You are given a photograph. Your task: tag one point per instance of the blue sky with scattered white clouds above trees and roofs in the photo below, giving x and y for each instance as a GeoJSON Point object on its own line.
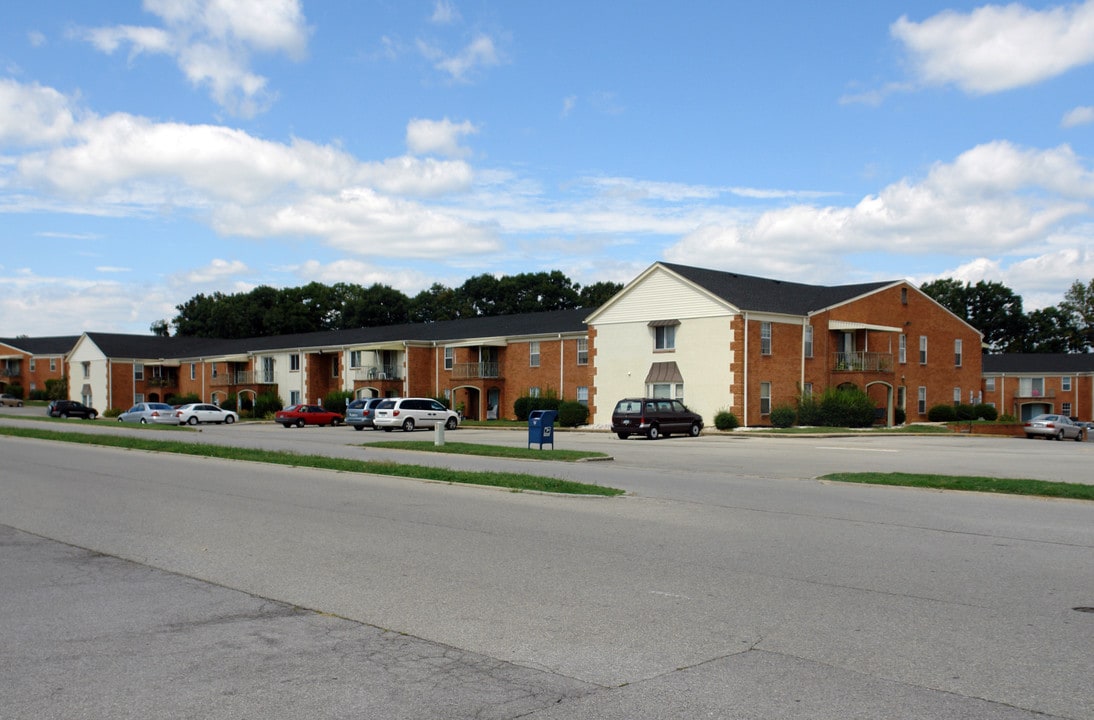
{"type": "Point", "coordinates": [150, 152]}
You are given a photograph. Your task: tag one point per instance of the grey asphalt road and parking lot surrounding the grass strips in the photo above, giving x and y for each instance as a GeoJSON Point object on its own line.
{"type": "Point", "coordinates": [729, 585]}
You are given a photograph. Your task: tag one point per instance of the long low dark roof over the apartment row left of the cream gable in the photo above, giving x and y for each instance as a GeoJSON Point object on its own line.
{"type": "Point", "coordinates": [152, 346]}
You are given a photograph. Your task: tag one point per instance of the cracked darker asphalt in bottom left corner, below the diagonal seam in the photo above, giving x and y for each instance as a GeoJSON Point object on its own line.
{"type": "Point", "coordinates": [91, 636]}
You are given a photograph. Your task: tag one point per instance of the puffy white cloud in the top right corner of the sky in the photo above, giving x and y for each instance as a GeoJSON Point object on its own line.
{"type": "Point", "coordinates": [999, 48]}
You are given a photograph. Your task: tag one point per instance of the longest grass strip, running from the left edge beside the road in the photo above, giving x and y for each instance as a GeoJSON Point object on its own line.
{"type": "Point", "coordinates": [510, 481]}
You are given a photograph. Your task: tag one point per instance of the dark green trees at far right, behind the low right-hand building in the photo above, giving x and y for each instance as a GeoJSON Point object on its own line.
{"type": "Point", "coordinates": [996, 311]}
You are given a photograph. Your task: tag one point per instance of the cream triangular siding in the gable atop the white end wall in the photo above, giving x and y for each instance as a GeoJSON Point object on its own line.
{"type": "Point", "coordinates": [661, 296]}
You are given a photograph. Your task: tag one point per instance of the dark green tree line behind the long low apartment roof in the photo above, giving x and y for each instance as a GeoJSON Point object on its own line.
{"type": "Point", "coordinates": [267, 311]}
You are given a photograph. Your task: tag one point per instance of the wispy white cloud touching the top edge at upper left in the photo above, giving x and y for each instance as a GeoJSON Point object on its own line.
{"type": "Point", "coordinates": [213, 43]}
